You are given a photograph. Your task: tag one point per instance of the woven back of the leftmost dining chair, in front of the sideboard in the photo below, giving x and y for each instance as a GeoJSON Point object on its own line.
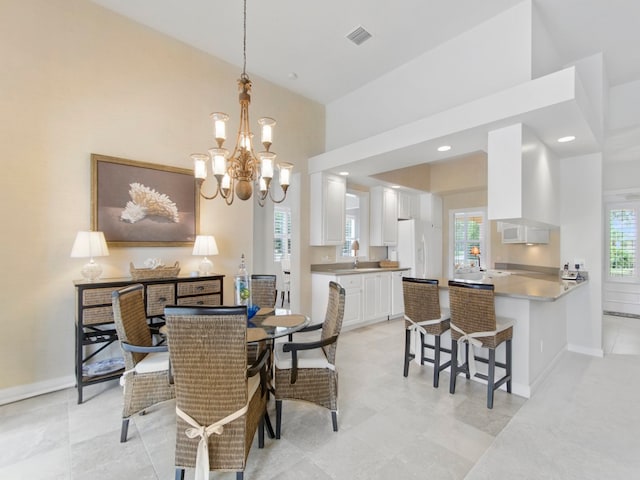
{"type": "Point", "coordinates": [130, 319]}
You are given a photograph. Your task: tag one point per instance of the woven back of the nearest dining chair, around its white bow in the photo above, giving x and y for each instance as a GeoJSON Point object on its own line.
{"type": "Point", "coordinates": [208, 354]}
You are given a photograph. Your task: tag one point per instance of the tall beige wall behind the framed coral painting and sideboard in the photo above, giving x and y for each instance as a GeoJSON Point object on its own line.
{"type": "Point", "coordinates": [79, 79]}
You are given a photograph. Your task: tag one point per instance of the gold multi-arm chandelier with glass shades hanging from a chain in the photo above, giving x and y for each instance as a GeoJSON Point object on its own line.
{"type": "Point", "coordinates": [237, 173]}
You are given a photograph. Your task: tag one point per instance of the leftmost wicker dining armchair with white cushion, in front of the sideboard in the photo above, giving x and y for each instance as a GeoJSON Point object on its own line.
{"type": "Point", "coordinates": [146, 379]}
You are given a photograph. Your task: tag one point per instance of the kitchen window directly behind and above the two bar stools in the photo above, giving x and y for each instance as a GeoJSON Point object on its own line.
{"type": "Point", "coordinates": [468, 232]}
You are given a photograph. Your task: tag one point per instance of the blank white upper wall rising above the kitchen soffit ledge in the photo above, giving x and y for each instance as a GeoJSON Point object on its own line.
{"type": "Point", "coordinates": [486, 59]}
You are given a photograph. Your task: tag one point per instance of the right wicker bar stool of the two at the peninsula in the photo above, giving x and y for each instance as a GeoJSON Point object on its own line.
{"type": "Point", "coordinates": [474, 324]}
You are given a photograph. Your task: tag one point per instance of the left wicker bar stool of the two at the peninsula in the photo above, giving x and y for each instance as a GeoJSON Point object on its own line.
{"type": "Point", "coordinates": [424, 317]}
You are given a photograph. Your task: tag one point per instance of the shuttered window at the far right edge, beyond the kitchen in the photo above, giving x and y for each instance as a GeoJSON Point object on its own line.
{"type": "Point", "coordinates": [623, 240]}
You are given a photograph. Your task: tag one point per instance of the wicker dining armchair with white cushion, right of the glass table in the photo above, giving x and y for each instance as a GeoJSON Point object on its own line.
{"type": "Point", "coordinates": [307, 371]}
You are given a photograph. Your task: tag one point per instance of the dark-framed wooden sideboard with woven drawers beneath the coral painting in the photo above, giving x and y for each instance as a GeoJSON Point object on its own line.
{"type": "Point", "coordinates": [94, 314]}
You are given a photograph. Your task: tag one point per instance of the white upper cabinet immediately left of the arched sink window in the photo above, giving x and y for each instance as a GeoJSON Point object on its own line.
{"type": "Point", "coordinates": [327, 201]}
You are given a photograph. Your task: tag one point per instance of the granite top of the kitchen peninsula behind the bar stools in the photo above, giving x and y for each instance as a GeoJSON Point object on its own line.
{"type": "Point", "coordinates": [527, 285]}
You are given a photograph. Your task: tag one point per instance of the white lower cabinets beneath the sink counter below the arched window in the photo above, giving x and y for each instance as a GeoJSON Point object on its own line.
{"type": "Point", "coordinates": [368, 297]}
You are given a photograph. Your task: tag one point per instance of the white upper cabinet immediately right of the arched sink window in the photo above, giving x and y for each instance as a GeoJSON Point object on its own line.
{"type": "Point", "coordinates": [384, 217]}
